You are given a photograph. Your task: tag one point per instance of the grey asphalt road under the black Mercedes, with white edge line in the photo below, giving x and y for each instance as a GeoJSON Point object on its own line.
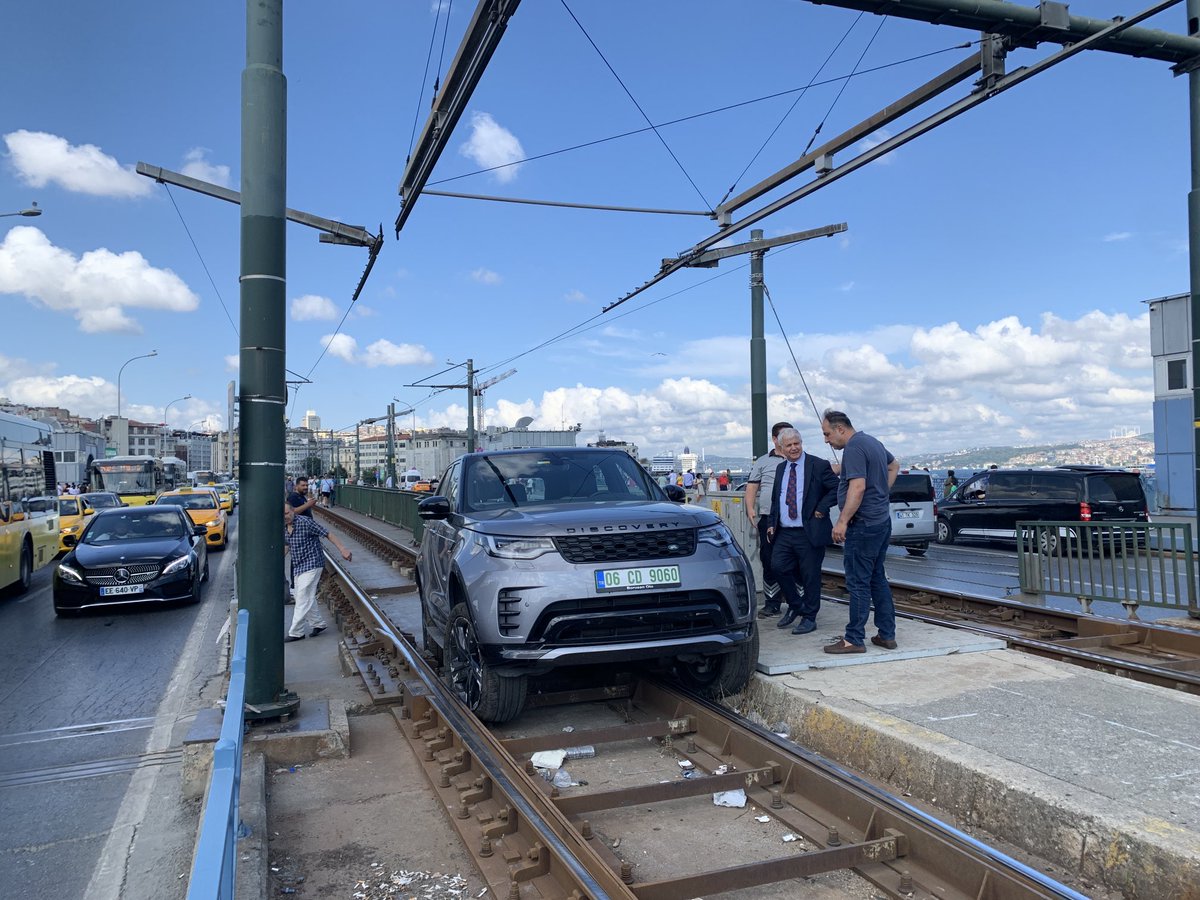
{"type": "Point", "coordinates": [93, 715]}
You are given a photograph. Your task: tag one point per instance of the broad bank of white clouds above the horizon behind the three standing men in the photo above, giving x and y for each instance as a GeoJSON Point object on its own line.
{"type": "Point", "coordinates": [919, 389]}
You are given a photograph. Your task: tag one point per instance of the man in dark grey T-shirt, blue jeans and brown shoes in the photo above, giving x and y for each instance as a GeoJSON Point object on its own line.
{"type": "Point", "coordinates": [865, 527]}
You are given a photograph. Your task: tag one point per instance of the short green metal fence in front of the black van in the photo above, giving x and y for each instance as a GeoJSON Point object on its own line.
{"type": "Point", "coordinates": [1129, 565]}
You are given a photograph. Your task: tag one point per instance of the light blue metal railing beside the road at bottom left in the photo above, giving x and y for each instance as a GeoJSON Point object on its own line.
{"type": "Point", "coordinates": [217, 855]}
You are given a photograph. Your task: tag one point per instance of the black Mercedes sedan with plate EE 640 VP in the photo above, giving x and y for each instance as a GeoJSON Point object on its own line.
{"type": "Point", "coordinates": [133, 555]}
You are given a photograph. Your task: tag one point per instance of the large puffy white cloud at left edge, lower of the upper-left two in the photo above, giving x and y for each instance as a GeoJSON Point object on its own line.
{"type": "Point", "coordinates": [97, 289]}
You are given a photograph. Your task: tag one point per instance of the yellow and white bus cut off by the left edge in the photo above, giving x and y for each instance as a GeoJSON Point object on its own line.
{"type": "Point", "coordinates": [29, 509]}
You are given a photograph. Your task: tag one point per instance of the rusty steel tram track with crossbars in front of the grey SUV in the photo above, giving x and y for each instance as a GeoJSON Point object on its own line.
{"type": "Point", "coordinates": [853, 824]}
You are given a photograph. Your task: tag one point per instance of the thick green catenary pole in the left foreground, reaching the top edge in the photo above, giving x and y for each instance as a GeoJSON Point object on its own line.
{"type": "Point", "coordinates": [263, 394]}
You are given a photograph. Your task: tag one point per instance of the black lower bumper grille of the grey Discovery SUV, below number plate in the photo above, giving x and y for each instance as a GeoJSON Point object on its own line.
{"type": "Point", "coordinates": [650, 616]}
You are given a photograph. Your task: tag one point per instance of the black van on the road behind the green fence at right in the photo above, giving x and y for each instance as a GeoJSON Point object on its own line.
{"type": "Point", "coordinates": [991, 505]}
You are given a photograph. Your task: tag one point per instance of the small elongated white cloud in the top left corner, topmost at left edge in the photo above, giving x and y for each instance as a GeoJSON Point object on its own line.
{"type": "Point", "coordinates": [41, 159]}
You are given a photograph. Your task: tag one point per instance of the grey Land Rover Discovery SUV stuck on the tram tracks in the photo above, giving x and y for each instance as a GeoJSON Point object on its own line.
{"type": "Point", "coordinates": [535, 560]}
